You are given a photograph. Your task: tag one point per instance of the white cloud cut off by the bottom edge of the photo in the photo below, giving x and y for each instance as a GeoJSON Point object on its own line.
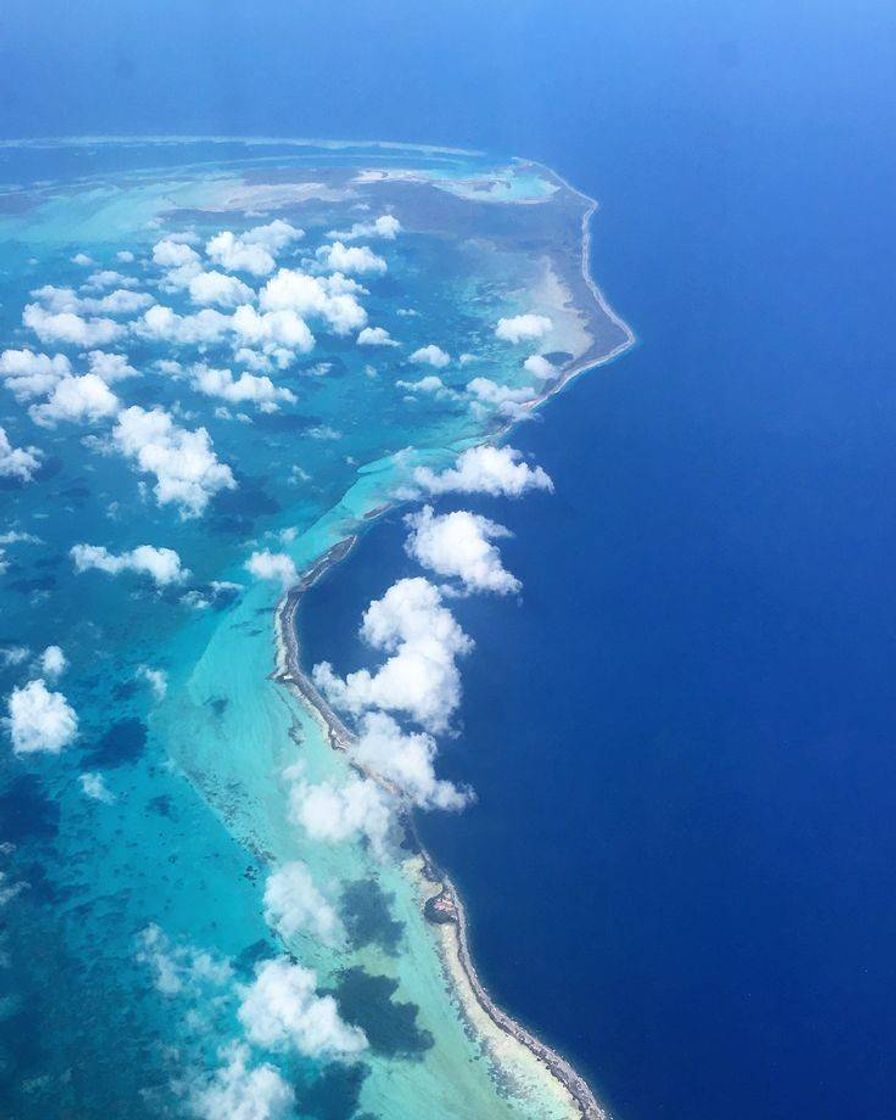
{"type": "Point", "coordinates": [240, 1091]}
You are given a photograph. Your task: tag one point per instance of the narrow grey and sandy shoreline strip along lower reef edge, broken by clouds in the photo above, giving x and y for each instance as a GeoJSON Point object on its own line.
{"type": "Point", "coordinates": [452, 930]}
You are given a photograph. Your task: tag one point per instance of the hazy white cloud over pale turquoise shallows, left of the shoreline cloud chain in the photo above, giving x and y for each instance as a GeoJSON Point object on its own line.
{"type": "Point", "coordinates": [337, 813]}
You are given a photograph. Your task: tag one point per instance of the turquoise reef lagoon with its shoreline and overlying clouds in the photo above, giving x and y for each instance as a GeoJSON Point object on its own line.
{"type": "Point", "coordinates": [222, 361]}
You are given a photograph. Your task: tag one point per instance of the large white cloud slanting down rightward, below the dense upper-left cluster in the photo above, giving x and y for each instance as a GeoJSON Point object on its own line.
{"type": "Point", "coordinates": [188, 471]}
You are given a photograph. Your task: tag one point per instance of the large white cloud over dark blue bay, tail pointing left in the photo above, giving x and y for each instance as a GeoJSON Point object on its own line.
{"type": "Point", "coordinates": [421, 677]}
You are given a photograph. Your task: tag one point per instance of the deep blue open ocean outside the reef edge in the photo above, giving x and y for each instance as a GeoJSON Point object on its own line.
{"type": "Point", "coordinates": [682, 866]}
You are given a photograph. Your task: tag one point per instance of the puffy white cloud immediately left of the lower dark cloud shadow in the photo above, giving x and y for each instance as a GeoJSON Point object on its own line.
{"type": "Point", "coordinates": [282, 1010]}
